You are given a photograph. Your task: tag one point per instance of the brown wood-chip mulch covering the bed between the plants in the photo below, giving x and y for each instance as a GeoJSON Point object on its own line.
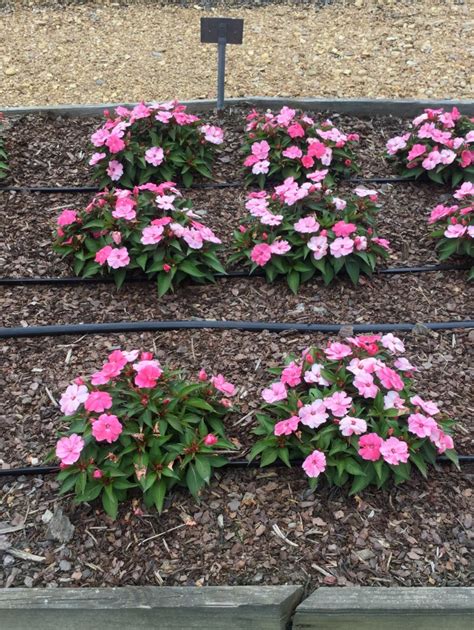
{"type": "Point", "coordinates": [416, 534]}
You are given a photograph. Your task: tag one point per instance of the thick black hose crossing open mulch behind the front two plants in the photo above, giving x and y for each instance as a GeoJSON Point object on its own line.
{"type": "Point", "coordinates": [199, 324]}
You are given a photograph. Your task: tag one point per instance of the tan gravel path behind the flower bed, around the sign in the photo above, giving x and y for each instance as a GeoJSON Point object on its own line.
{"type": "Point", "coordinates": [97, 52]}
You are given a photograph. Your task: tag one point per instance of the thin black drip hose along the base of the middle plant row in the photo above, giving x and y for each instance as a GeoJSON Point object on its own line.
{"type": "Point", "coordinates": [72, 280]}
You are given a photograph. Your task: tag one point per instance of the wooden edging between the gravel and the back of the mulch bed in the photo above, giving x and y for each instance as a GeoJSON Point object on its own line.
{"type": "Point", "coordinates": [356, 107]}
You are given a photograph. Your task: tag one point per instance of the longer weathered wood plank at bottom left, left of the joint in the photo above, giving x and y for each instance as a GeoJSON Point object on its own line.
{"type": "Point", "coordinates": [149, 608]}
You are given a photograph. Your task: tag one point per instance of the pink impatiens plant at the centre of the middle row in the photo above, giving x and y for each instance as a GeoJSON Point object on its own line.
{"type": "Point", "coordinates": [299, 231]}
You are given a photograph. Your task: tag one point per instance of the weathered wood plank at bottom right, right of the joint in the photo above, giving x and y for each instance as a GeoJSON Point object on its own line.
{"type": "Point", "coordinates": [369, 608]}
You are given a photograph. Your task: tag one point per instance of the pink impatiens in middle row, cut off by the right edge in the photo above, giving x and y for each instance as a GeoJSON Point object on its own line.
{"type": "Point", "coordinates": [454, 225]}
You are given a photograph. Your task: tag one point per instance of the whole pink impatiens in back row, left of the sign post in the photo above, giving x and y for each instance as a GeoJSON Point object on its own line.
{"type": "Point", "coordinates": [153, 143]}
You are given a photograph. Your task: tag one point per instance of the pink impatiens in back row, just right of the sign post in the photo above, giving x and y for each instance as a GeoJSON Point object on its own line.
{"type": "Point", "coordinates": [291, 144]}
